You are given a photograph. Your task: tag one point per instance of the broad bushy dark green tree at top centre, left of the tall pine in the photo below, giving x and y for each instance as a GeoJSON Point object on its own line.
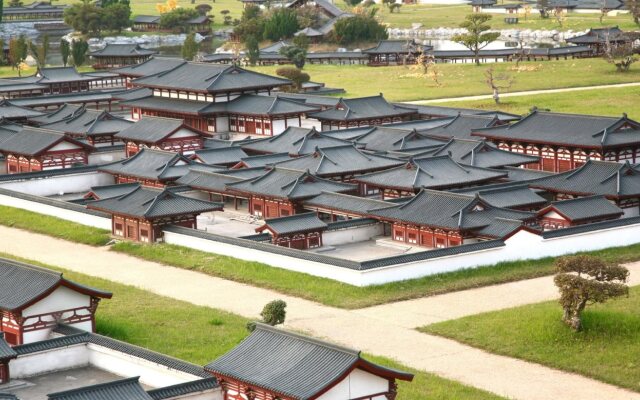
{"type": "Point", "coordinates": [362, 27]}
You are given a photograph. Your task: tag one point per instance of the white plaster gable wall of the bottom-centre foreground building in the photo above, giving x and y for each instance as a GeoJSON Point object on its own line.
{"type": "Point", "coordinates": [357, 384]}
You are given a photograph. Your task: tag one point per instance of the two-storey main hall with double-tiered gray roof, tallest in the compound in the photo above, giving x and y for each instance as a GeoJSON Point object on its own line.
{"type": "Point", "coordinates": [215, 98]}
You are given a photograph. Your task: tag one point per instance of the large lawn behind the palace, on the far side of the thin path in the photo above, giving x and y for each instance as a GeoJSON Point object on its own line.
{"type": "Point", "coordinates": [401, 83]}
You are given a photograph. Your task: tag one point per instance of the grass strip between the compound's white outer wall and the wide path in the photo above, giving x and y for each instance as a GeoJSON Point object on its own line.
{"type": "Point", "coordinates": [322, 290]}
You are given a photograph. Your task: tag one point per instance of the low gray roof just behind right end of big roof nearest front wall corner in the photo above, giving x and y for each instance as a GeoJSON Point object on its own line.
{"type": "Point", "coordinates": [515, 196]}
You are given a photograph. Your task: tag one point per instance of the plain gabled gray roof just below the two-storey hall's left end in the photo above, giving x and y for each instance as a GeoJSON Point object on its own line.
{"type": "Point", "coordinates": [153, 129]}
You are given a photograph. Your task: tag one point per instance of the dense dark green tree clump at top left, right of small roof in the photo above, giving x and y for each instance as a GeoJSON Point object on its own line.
{"type": "Point", "coordinates": [88, 17]}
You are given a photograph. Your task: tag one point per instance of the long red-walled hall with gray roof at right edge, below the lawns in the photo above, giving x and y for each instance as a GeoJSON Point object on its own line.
{"type": "Point", "coordinates": [566, 141]}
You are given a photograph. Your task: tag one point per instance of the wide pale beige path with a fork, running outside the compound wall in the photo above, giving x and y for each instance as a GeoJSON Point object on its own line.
{"type": "Point", "coordinates": [376, 330]}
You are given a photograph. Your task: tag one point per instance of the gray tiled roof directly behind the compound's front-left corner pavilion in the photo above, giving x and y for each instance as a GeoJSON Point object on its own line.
{"type": "Point", "coordinates": [151, 164]}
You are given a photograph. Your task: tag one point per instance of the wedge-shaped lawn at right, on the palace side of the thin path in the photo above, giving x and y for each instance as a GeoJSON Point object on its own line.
{"type": "Point", "coordinates": [598, 101]}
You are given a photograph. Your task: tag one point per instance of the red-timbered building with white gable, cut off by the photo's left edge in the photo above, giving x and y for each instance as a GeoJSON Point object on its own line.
{"type": "Point", "coordinates": [34, 300]}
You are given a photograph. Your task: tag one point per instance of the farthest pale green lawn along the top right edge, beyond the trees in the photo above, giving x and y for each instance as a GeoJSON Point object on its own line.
{"type": "Point", "coordinates": [437, 16]}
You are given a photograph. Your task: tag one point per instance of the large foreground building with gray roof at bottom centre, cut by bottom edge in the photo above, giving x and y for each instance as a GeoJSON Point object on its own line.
{"type": "Point", "coordinates": [307, 369]}
